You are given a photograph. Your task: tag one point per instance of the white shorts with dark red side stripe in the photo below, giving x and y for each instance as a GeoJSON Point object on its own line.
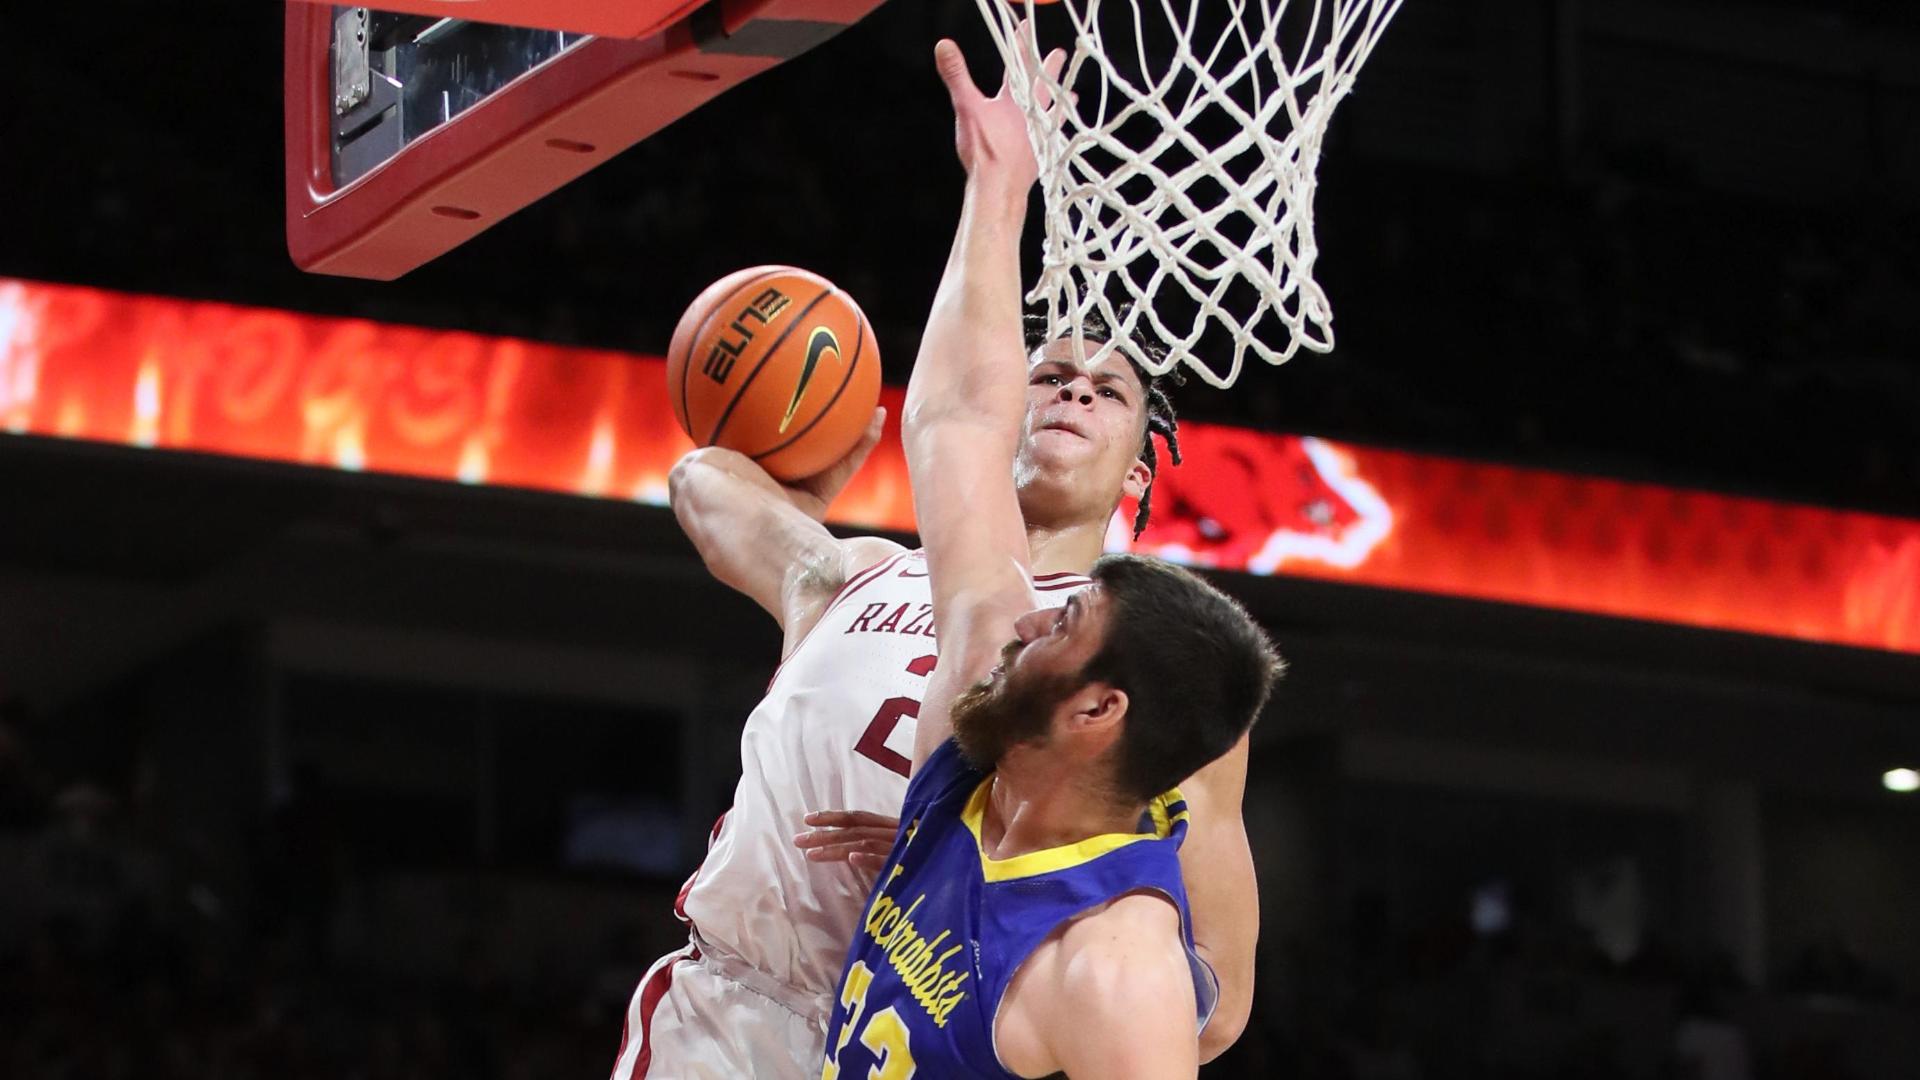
{"type": "Point", "coordinates": [694, 1019]}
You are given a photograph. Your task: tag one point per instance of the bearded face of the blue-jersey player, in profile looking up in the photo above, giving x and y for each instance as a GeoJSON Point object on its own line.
{"type": "Point", "coordinates": [1040, 670]}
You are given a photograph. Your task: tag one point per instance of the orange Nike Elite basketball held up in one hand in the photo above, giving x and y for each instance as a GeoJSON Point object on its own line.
{"type": "Point", "coordinates": [777, 364]}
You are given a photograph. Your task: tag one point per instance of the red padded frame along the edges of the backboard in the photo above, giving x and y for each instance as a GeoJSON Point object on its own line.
{"type": "Point", "coordinates": [535, 135]}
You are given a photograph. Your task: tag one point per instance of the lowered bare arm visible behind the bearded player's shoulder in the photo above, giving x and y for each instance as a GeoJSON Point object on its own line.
{"type": "Point", "coordinates": [1222, 893]}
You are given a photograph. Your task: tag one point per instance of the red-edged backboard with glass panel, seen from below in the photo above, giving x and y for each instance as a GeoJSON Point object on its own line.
{"type": "Point", "coordinates": [410, 134]}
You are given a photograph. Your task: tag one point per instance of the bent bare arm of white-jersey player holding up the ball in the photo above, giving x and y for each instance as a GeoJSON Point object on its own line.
{"type": "Point", "coordinates": [767, 539]}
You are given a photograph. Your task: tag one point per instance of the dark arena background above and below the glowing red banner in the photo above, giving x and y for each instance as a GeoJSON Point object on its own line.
{"type": "Point", "coordinates": [343, 777]}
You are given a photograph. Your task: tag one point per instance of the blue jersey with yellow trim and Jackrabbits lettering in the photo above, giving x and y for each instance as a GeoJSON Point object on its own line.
{"type": "Point", "coordinates": [948, 929]}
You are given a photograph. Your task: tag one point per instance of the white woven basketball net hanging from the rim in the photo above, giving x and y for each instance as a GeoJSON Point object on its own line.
{"type": "Point", "coordinates": [1180, 187]}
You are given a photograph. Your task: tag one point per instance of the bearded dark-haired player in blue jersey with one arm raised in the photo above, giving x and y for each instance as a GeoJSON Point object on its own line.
{"type": "Point", "coordinates": [1032, 918]}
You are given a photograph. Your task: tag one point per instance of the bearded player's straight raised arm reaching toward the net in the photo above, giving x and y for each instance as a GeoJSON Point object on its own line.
{"type": "Point", "coordinates": [967, 401]}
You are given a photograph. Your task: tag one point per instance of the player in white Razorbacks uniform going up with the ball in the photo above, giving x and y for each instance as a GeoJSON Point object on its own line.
{"type": "Point", "coordinates": [769, 929]}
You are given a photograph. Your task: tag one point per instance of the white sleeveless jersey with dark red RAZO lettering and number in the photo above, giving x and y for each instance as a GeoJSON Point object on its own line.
{"type": "Point", "coordinates": [836, 731]}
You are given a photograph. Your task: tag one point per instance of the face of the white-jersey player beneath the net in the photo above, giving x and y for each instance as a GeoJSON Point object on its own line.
{"type": "Point", "coordinates": [1084, 426]}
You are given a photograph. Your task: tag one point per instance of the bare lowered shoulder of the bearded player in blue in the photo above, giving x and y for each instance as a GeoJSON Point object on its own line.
{"type": "Point", "coordinates": [1122, 1004]}
